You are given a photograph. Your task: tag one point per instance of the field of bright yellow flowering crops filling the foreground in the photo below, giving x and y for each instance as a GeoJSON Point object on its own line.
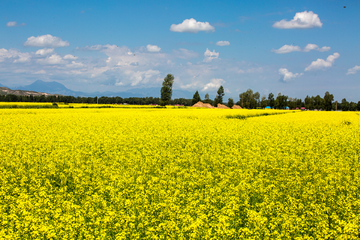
{"type": "Point", "coordinates": [116, 173]}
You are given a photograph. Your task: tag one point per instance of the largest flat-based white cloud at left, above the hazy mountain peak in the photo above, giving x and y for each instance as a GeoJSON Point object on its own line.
{"type": "Point", "coordinates": [45, 41]}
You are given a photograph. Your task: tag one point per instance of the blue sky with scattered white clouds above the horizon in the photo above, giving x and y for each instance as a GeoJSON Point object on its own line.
{"type": "Point", "coordinates": [297, 48]}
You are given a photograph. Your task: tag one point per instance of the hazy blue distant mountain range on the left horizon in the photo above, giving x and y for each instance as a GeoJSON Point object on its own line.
{"type": "Point", "coordinates": [58, 88]}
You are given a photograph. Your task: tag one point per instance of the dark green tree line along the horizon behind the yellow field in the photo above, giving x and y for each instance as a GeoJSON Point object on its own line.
{"type": "Point", "coordinates": [247, 99]}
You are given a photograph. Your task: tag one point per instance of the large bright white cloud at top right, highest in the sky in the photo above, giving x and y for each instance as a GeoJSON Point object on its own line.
{"type": "Point", "coordinates": [301, 20]}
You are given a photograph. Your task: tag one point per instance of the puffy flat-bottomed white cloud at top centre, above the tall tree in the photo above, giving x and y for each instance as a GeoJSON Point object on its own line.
{"type": "Point", "coordinates": [192, 26]}
